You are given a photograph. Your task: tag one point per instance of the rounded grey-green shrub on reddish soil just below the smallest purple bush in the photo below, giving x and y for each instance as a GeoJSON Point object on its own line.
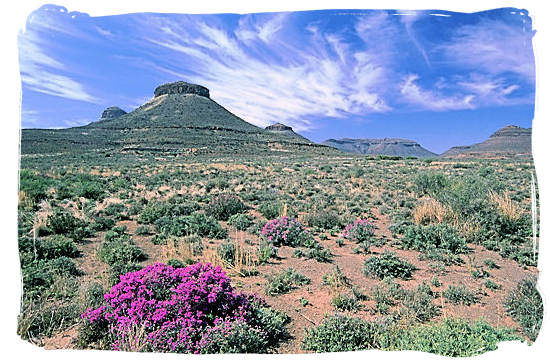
{"type": "Point", "coordinates": [388, 265]}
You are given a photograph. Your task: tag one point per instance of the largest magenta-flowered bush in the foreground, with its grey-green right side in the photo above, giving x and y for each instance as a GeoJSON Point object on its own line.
{"type": "Point", "coordinates": [185, 310]}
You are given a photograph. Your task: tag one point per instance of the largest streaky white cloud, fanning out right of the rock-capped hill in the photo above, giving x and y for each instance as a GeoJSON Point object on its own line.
{"type": "Point", "coordinates": [326, 79]}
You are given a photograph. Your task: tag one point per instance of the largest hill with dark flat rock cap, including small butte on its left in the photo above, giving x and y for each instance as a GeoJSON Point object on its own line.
{"type": "Point", "coordinates": [180, 119]}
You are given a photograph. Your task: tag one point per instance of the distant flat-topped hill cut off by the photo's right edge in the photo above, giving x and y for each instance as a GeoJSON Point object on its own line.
{"type": "Point", "coordinates": [510, 140]}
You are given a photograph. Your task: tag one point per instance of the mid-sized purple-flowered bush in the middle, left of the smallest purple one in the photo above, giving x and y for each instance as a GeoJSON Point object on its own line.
{"type": "Point", "coordinates": [287, 231]}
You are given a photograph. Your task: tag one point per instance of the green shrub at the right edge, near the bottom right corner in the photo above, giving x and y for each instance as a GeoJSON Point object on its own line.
{"type": "Point", "coordinates": [524, 304]}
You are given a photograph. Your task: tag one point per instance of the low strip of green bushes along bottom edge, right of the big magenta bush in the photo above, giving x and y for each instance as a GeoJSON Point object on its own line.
{"type": "Point", "coordinates": [451, 337]}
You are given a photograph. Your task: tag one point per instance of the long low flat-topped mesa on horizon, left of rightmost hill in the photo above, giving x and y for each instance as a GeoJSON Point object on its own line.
{"type": "Point", "coordinates": [387, 146]}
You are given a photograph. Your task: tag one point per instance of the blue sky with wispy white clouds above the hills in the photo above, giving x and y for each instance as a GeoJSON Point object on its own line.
{"type": "Point", "coordinates": [440, 78]}
